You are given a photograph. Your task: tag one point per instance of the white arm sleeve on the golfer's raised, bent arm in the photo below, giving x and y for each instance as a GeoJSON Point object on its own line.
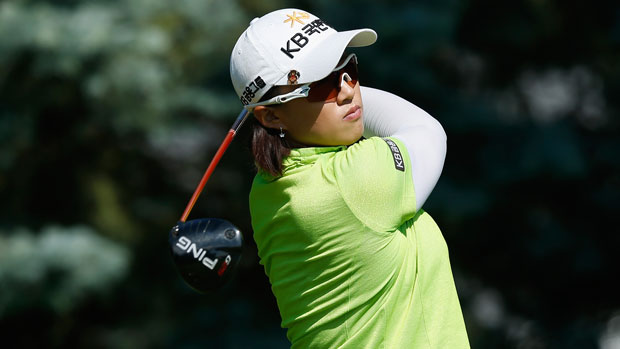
{"type": "Point", "coordinates": [387, 115]}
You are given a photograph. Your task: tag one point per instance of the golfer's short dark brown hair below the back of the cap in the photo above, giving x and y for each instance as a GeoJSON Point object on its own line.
{"type": "Point", "coordinates": [268, 148]}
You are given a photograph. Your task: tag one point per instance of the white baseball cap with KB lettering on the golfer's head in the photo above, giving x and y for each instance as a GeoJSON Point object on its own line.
{"type": "Point", "coordinates": [288, 46]}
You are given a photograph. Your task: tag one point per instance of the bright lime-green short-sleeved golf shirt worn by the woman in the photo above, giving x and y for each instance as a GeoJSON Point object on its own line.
{"type": "Point", "coordinates": [351, 262]}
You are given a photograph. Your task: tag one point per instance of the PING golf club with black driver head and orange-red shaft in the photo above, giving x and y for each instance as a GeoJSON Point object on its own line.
{"type": "Point", "coordinates": [207, 251]}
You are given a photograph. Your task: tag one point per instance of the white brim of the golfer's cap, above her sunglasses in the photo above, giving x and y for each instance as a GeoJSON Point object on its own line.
{"type": "Point", "coordinates": [330, 51]}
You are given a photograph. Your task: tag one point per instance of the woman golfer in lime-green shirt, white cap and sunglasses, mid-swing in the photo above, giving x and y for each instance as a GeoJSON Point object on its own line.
{"type": "Point", "coordinates": [353, 260]}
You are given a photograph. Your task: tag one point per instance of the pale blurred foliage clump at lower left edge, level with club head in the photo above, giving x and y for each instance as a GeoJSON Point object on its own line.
{"type": "Point", "coordinates": [57, 268]}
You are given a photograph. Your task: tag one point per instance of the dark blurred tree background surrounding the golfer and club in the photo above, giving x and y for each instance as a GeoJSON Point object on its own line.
{"type": "Point", "coordinates": [110, 111]}
